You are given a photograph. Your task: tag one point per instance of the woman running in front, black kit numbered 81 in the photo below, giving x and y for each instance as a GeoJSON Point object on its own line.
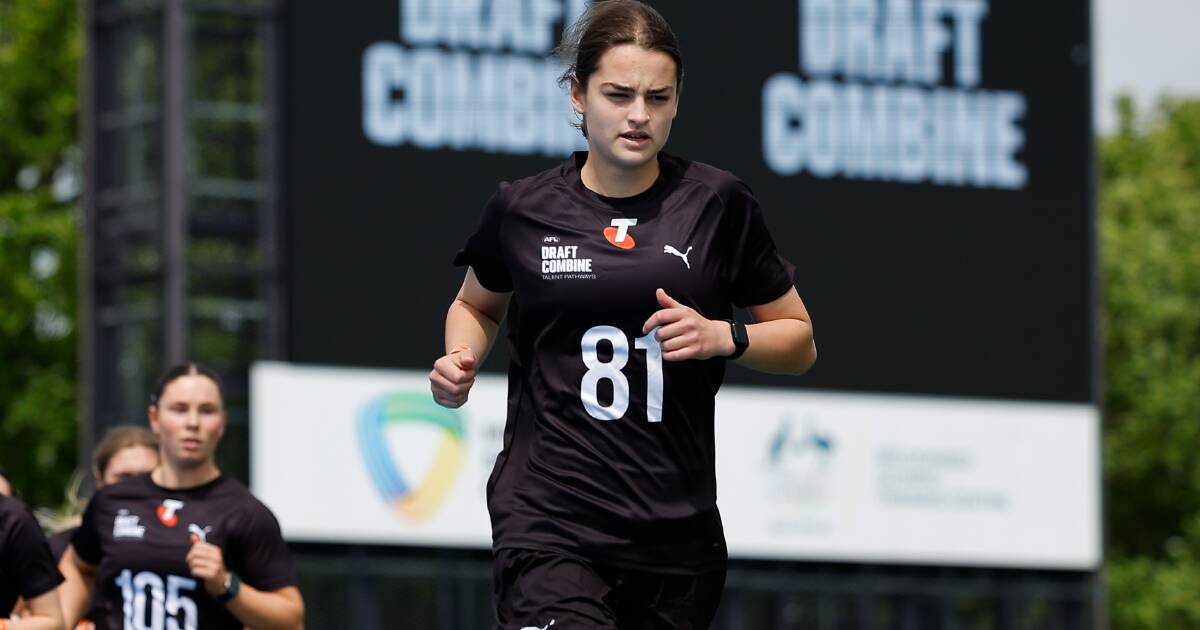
{"type": "Point", "coordinates": [619, 271]}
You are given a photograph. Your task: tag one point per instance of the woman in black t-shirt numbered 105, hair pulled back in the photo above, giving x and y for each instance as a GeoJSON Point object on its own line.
{"type": "Point", "coordinates": [183, 548]}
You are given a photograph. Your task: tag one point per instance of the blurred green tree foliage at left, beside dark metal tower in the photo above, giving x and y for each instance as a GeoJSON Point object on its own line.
{"type": "Point", "coordinates": [40, 52]}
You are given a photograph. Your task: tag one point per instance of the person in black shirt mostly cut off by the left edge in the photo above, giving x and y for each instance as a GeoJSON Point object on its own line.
{"type": "Point", "coordinates": [27, 572]}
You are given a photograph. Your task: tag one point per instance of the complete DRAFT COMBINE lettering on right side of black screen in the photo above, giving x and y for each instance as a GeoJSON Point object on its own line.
{"type": "Point", "coordinates": [845, 116]}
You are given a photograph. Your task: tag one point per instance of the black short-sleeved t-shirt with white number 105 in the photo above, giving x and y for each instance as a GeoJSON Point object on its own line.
{"type": "Point", "coordinates": [139, 535]}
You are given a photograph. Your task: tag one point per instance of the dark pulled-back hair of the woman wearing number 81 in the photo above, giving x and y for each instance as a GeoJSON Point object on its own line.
{"type": "Point", "coordinates": [608, 25]}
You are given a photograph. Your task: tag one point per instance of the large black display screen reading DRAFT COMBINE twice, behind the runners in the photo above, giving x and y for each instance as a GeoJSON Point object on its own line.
{"type": "Point", "coordinates": [925, 164]}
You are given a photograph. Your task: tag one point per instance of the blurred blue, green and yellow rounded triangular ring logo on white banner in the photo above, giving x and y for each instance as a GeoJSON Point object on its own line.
{"type": "Point", "coordinates": [415, 499]}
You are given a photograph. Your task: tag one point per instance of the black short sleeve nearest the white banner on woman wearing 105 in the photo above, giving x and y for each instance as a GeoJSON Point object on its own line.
{"type": "Point", "coordinates": [263, 560]}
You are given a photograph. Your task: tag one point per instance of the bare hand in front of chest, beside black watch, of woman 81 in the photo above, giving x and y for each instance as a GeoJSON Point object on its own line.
{"type": "Point", "coordinates": [685, 334]}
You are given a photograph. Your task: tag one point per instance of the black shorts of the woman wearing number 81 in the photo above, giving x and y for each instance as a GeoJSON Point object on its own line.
{"type": "Point", "coordinates": [545, 591]}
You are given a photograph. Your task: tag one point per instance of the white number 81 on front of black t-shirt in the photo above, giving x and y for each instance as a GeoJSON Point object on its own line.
{"type": "Point", "coordinates": [611, 371]}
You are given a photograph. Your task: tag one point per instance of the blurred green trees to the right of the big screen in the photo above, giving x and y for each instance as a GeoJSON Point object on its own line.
{"type": "Point", "coordinates": [1150, 231]}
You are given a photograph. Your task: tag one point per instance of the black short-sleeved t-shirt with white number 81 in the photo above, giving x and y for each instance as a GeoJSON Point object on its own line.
{"type": "Point", "coordinates": [609, 451]}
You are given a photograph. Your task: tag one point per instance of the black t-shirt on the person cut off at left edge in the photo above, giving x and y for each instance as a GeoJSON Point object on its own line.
{"type": "Point", "coordinates": [27, 568]}
